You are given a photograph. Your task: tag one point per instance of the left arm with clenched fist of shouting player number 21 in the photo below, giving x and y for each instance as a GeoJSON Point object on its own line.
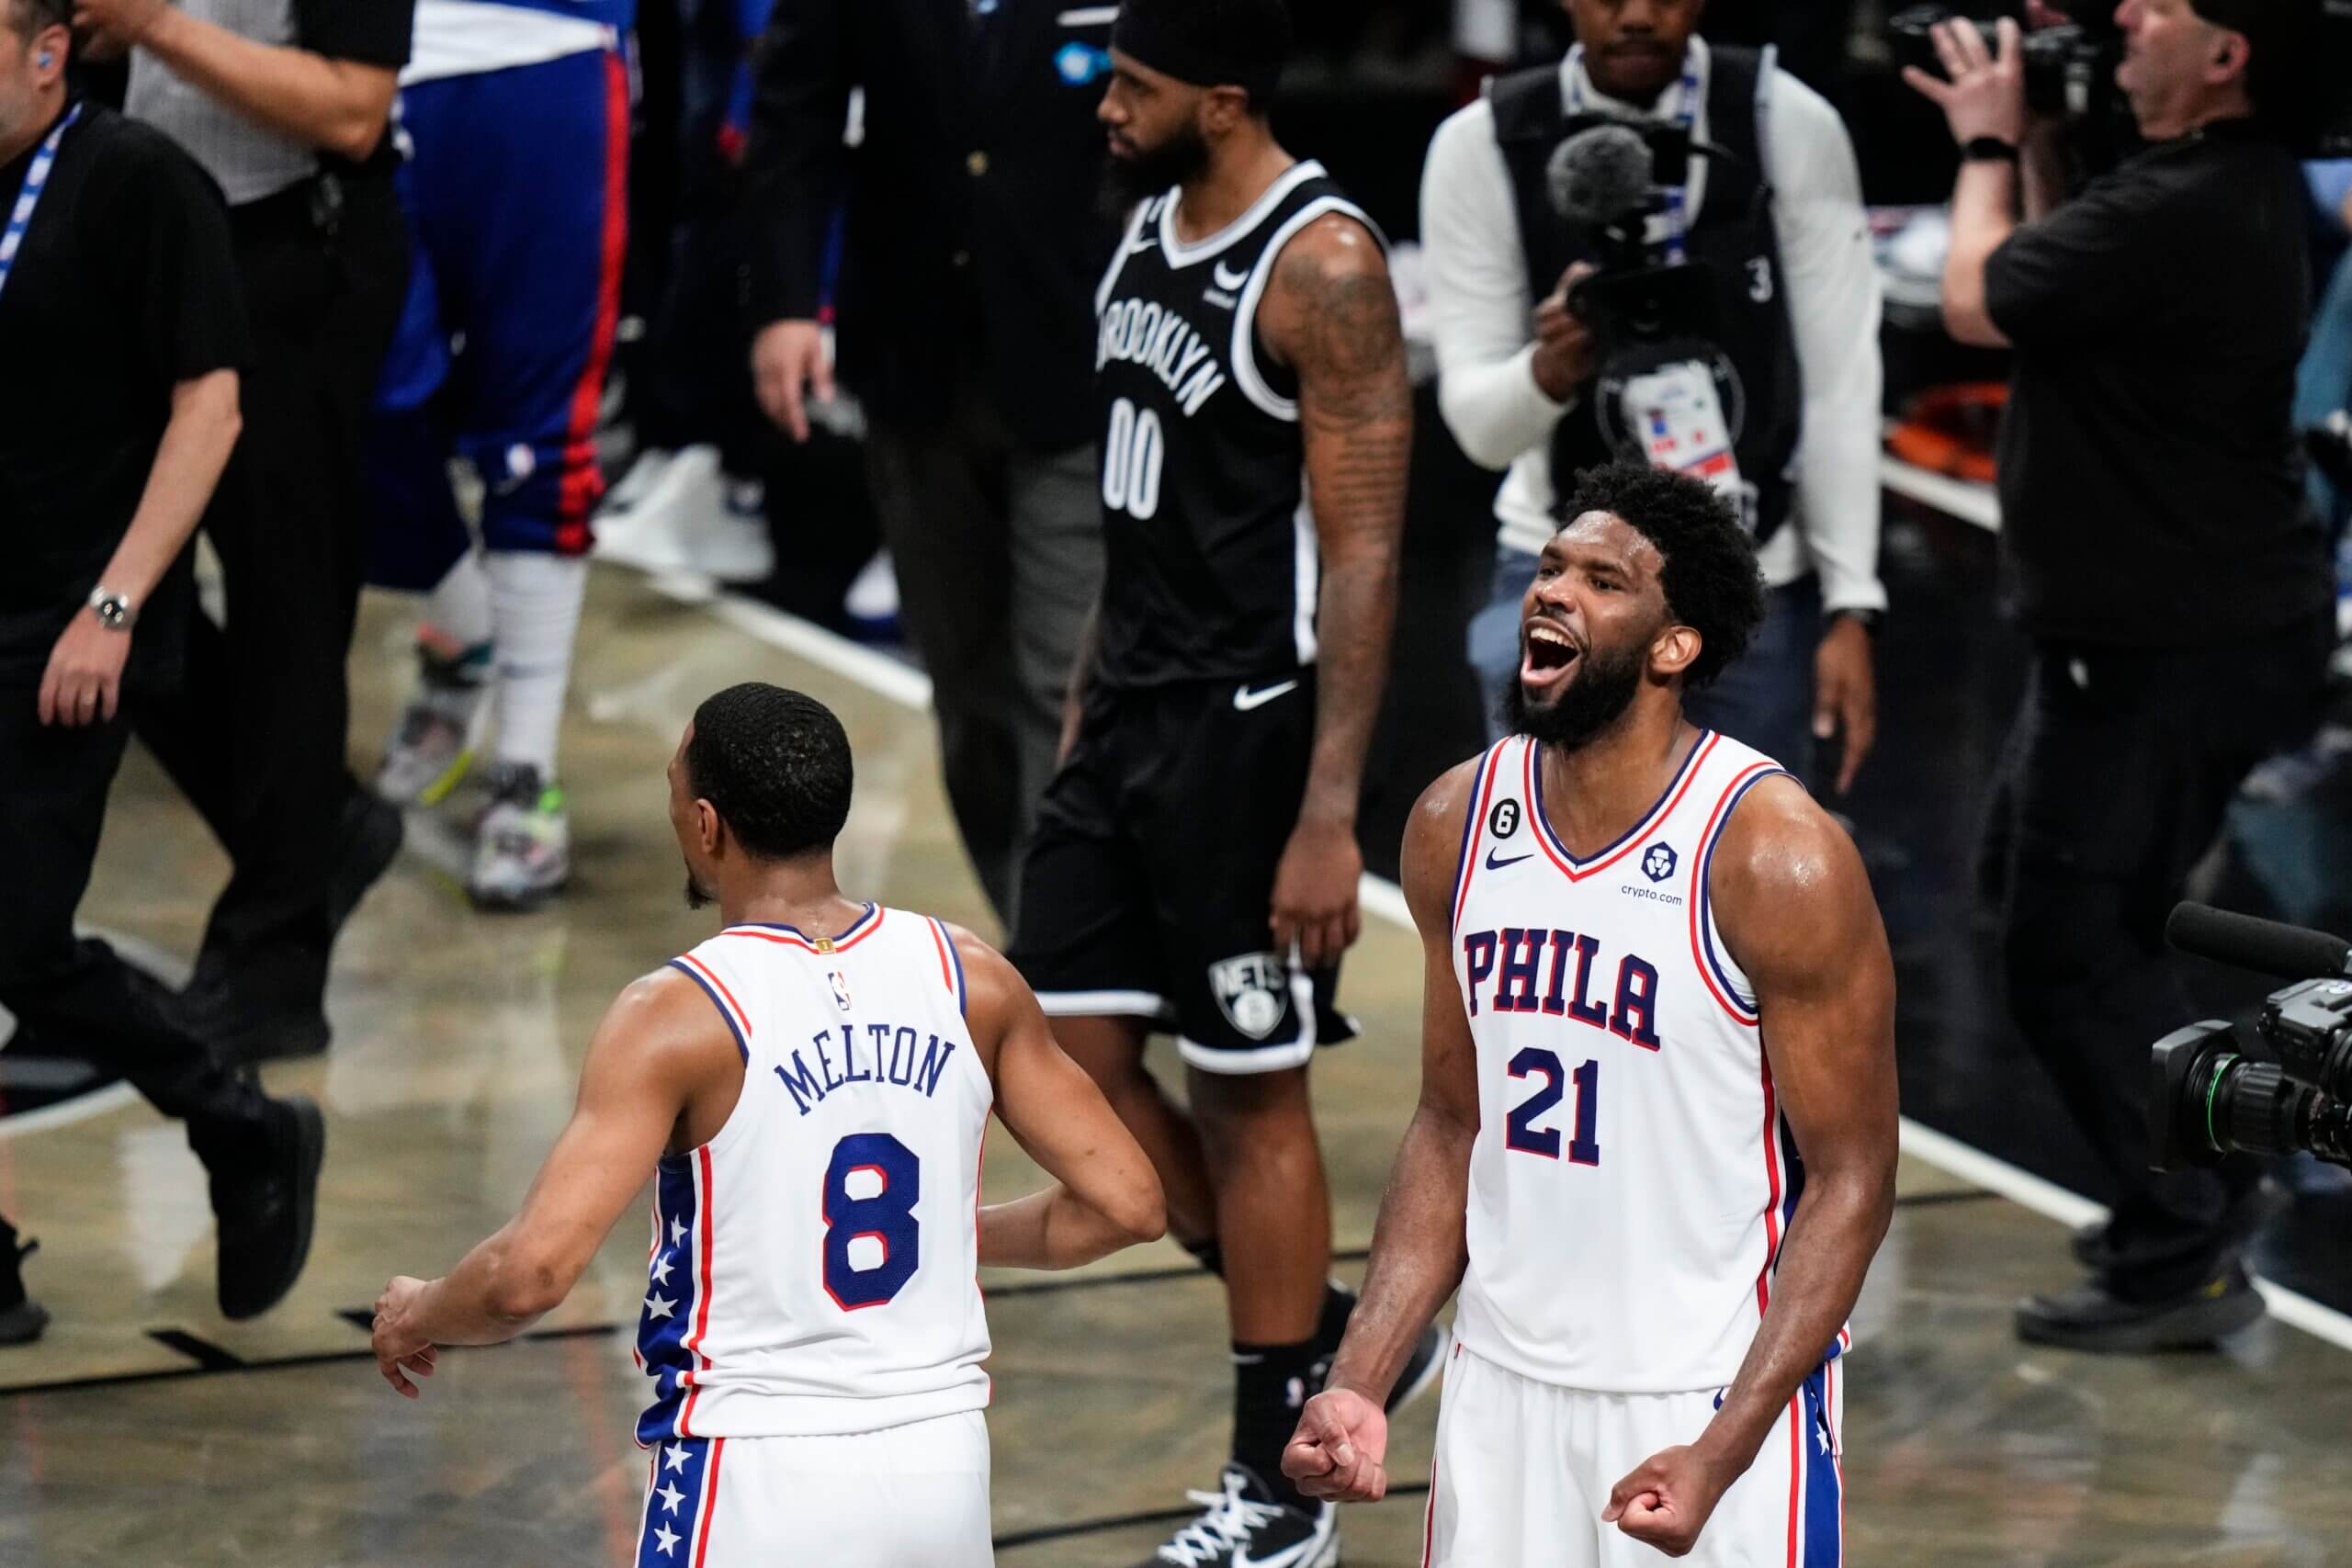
{"type": "Point", "coordinates": [1419, 1245]}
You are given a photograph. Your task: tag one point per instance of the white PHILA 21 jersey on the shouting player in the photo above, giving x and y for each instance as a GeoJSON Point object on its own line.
{"type": "Point", "coordinates": [1631, 1177]}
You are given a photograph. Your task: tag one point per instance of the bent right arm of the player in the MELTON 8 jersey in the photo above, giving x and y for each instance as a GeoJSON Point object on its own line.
{"type": "Point", "coordinates": [1104, 1193]}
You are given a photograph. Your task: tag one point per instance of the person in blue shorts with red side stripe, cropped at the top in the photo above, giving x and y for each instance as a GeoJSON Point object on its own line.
{"type": "Point", "coordinates": [516, 119]}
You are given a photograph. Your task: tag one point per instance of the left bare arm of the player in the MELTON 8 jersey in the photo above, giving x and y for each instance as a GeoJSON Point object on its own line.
{"type": "Point", "coordinates": [660, 1047]}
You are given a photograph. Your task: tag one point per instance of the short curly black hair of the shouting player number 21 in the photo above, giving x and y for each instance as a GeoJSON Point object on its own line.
{"type": "Point", "coordinates": [1711, 575]}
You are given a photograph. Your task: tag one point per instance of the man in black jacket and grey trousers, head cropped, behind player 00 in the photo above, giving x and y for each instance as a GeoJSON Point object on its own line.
{"type": "Point", "coordinates": [965, 328]}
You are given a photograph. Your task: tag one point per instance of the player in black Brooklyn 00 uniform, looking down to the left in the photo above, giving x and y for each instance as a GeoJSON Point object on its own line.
{"type": "Point", "coordinates": [1196, 862]}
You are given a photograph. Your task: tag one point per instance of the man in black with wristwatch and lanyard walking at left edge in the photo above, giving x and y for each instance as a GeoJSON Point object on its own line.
{"type": "Point", "coordinates": [123, 335]}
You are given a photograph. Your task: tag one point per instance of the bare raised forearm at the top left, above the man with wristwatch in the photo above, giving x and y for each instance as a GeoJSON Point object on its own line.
{"type": "Point", "coordinates": [335, 105]}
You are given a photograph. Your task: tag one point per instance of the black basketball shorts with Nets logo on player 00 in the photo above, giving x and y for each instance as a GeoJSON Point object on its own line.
{"type": "Point", "coordinates": [1151, 876]}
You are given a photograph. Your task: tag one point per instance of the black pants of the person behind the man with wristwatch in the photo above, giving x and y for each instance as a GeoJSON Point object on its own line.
{"type": "Point", "coordinates": [258, 737]}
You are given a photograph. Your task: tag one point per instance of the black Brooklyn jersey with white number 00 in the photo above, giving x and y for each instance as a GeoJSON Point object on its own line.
{"type": "Point", "coordinates": [1208, 542]}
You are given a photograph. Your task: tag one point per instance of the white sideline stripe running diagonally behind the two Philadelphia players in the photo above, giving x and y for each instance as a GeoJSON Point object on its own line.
{"type": "Point", "coordinates": [1387, 899]}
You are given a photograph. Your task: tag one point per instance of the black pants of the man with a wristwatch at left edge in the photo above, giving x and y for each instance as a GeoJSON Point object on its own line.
{"type": "Point", "coordinates": [76, 993]}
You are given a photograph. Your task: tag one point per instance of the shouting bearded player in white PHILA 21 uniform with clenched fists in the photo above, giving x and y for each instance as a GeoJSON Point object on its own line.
{"type": "Point", "coordinates": [1657, 1130]}
